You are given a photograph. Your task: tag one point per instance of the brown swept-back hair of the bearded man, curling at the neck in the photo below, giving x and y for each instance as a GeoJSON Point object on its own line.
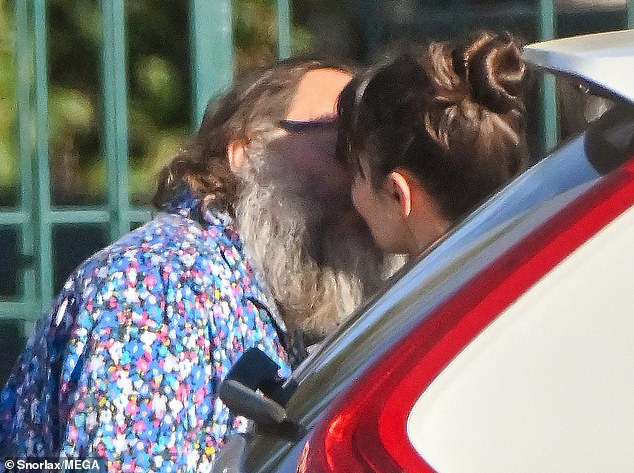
{"type": "Point", "coordinates": [248, 113]}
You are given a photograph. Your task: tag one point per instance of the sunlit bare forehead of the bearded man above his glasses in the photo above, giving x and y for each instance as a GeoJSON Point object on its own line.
{"type": "Point", "coordinates": [317, 94]}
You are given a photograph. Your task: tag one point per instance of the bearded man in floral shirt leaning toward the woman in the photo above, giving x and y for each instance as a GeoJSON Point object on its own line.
{"type": "Point", "coordinates": [127, 364]}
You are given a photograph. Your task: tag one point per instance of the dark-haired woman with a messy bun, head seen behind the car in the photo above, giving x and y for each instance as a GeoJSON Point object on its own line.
{"type": "Point", "coordinates": [432, 133]}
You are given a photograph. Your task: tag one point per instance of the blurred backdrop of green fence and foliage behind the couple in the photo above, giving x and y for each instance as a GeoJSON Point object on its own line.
{"type": "Point", "coordinates": [84, 127]}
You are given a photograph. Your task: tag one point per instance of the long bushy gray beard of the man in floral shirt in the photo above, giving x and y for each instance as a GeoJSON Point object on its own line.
{"type": "Point", "coordinates": [316, 255]}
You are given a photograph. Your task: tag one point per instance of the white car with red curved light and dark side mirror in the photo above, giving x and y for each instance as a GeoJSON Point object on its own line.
{"type": "Point", "coordinates": [508, 347]}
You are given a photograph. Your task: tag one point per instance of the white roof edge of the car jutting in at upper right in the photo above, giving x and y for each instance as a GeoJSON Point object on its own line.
{"type": "Point", "coordinates": [605, 60]}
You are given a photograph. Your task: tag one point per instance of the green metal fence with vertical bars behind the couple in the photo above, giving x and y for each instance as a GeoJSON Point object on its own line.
{"type": "Point", "coordinates": [35, 217]}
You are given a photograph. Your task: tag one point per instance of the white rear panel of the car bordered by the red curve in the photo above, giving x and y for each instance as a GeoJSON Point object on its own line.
{"type": "Point", "coordinates": [549, 383]}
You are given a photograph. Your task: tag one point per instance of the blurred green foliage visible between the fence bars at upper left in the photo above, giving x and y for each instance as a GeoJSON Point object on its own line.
{"type": "Point", "coordinates": [159, 96]}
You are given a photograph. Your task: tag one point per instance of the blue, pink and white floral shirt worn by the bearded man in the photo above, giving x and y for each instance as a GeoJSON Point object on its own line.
{"type": "Point", "coordinates": [127, 364]}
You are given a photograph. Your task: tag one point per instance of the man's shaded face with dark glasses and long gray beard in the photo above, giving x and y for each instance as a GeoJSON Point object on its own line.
{"type": "Point", "coordinates": [296, 217]}
